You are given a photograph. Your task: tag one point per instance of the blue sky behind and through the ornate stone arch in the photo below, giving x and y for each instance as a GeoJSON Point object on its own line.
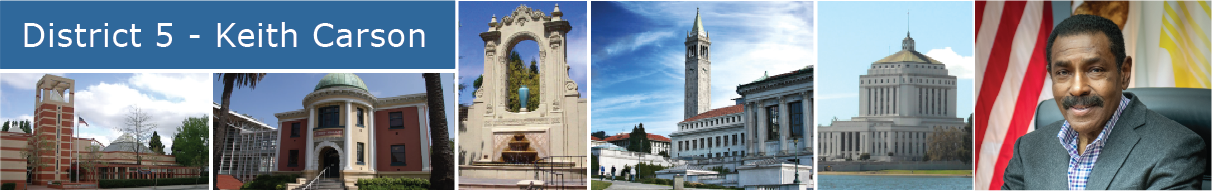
{"type": "Point", "coordinates": [474, 18]}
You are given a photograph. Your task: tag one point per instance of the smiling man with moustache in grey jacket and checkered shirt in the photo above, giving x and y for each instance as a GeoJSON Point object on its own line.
{"type": "Point", "coordinates": [1108, 140]}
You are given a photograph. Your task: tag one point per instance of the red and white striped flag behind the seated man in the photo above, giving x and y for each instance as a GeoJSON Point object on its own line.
{"type": "Point", "coordinates": [1011, 38]}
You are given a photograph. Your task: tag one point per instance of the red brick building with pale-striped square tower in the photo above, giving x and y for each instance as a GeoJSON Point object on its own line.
{"type": "Point", "coordinates": [66, 161]}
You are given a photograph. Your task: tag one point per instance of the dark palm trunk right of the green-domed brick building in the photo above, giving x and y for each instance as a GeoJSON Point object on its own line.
{"type": "Point", "coordinates": [443, 176]}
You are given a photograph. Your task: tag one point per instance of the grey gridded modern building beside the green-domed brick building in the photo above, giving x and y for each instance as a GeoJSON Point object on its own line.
{"type": "Point", "coordinates": [250, 149]}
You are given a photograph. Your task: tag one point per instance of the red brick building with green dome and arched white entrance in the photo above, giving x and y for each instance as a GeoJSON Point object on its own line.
{"type": "Point", "coordinates": [347, 134]}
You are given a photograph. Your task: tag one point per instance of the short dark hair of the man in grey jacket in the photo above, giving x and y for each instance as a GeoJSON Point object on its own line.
{"type": "Point", "coordinates": [1088, 25]}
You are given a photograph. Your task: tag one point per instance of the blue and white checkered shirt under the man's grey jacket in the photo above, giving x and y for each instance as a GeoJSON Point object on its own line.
{"type": "Point", "coordinates": [1080, 165]}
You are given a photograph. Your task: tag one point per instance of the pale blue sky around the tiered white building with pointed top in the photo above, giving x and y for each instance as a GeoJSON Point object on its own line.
{"type": "Point", "coordinates": [855, 34]}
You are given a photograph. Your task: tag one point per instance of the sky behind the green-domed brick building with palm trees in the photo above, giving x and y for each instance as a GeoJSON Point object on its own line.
{"type": "Point", "coordinates": [284, 92]}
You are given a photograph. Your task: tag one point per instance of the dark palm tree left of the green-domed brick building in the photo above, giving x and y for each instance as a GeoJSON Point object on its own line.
{"type": "Point", "coordinates": [230, 82]}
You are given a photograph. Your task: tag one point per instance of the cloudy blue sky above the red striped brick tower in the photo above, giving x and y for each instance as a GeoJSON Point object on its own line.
{"type": "Point", "coordinates": [104, 101]}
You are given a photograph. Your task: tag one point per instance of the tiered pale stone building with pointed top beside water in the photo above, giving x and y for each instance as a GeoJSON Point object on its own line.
{"type": "Point", "coordinates": [904, 99]}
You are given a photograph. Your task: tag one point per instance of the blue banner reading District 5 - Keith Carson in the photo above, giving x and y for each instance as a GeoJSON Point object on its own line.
{"type": "Point", "coordinates": [227, 34]}
